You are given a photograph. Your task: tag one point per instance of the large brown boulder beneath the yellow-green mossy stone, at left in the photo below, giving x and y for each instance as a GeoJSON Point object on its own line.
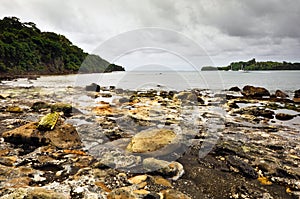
{"type": "Point", "coordinates": [62, 136]}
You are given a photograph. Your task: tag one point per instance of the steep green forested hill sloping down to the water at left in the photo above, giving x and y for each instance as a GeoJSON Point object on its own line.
{"type": "Point", "coordinates": [24, 49]}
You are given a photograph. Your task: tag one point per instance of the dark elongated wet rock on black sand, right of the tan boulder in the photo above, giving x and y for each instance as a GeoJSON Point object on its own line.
{"type": "Point", "coordinates": [242, 166]}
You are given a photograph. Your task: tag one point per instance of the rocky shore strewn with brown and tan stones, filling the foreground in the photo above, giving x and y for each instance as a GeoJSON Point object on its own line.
{"type": "Point", "coordinates": [99, 142]}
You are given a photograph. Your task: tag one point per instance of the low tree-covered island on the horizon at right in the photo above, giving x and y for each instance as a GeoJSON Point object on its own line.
{"type": "Point", "coordinates": [254, 65]}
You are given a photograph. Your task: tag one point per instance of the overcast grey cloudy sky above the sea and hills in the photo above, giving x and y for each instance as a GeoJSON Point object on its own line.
{"type": "Point", "coordinates": [171, 34]}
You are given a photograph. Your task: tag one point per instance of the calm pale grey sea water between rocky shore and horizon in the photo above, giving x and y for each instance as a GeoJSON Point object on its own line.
{"type": "Point", "coordinates": [216, 80]}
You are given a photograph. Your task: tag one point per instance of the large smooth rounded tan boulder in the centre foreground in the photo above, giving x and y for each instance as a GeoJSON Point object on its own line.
{"type": "Point", "coordinates": [150, 140]}
